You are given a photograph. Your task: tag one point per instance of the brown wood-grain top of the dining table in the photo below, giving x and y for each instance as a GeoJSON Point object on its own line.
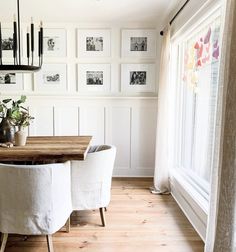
{"type": "Point", "coordinates": [48, 148]}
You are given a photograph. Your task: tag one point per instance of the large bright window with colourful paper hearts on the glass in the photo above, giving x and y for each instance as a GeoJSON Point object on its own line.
{"type": "Point", "coordinates": [198, 60]}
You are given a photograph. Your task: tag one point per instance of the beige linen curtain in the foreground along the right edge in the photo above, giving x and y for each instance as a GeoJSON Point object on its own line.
{"type": "Point", "coordinates": [221, 221]}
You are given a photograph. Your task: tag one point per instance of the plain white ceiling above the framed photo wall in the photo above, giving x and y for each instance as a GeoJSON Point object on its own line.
{"type": "Point", "coordinates": [90, 10]}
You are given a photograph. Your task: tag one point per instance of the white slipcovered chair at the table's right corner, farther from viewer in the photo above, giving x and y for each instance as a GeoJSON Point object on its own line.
{"type": "Point", "coordinates": [91, 179]}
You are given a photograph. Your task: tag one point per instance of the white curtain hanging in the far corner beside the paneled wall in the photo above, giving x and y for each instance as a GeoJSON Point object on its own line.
{"type": "Point", "coordinates": [161, 177]}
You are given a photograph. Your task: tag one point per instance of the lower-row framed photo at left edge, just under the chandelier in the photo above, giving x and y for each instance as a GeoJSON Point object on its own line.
{"type": "Point", "coordinates": [11, 81]}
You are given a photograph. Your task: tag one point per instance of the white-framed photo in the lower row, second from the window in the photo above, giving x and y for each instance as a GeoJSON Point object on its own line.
{"type": "Point", "coordinates": [94, 77]}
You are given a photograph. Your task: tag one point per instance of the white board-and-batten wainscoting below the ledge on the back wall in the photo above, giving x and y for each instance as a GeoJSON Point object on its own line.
{"type": "Point", "coordinates": [127, 123]}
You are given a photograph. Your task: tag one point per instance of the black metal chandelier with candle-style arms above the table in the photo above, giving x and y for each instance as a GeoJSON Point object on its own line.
{"type": "Point", "coordinates": [17, 66]}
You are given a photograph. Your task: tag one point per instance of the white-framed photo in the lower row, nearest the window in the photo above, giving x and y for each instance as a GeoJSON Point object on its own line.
{"type": "Point", "coordinates": [138, 78]}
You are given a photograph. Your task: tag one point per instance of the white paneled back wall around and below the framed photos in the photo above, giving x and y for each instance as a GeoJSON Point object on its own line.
{"type": "Point", "coordinates": [125, 120]}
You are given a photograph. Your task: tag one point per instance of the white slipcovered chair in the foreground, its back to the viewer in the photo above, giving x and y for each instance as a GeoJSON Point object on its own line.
{"type": "Point", "coordinates": [34, 199]}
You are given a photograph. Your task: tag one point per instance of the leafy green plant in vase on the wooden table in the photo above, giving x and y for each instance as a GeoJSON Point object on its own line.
{"type": "Point", "coordinates": [18, 117]}
